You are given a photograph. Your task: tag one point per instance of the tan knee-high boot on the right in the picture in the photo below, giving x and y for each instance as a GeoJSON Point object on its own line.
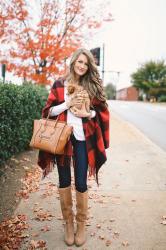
{"type": "Point", "coordinates": [81, 216]}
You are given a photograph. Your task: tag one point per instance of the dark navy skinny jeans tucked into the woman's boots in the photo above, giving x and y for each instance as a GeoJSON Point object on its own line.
{"type": "Point", "coordinates": [80, 169]}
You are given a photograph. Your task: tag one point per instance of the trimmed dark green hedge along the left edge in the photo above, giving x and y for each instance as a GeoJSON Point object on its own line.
{"type": "Point", "coordinates": [19, 106]}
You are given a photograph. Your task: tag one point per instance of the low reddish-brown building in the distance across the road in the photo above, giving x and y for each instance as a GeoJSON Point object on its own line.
{"type": "Point", "coordinates": [127, 94]}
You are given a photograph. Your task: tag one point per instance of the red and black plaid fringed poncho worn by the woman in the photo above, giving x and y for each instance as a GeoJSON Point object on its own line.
{"type": "Point", "coordinates": [96, 134]}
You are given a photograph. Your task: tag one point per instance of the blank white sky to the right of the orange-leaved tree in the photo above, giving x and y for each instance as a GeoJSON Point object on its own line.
{"type": "Point", "coordinates": [136, 36]}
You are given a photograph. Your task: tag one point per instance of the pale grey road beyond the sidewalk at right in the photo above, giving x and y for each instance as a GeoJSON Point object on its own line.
{"type": "Point", "coordinates": [148, 117]}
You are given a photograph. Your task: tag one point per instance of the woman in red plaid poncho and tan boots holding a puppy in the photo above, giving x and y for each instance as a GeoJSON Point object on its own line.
{"type": "Point", "coordinates": [87, 144]}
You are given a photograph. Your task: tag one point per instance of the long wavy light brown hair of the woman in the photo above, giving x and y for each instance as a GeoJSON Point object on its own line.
{"type": "Point", "coordinates": [91, 81]}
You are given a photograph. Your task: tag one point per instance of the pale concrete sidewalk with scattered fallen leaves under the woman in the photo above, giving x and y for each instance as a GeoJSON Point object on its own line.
{"type": "Point", "coordinates": [127, 210]}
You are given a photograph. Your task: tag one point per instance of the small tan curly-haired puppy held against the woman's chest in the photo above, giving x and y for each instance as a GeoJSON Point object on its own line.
{"type": "Point", "coordinates": [74, 91]}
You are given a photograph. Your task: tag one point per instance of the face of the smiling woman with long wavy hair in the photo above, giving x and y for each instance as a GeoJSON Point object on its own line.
{"type": "Point", "coordinates": [81, 65]}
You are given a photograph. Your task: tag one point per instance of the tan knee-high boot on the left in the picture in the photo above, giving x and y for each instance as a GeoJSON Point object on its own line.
{"type": "Point", "coordinates": [66, 207]}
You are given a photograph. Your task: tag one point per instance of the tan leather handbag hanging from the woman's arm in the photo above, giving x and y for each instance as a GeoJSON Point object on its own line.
{"type": "Point", "coordinates": [50, 135]}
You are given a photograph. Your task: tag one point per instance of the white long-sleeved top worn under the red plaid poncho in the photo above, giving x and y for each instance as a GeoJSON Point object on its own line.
{"type": "Point", "coordinates": [72, 120]}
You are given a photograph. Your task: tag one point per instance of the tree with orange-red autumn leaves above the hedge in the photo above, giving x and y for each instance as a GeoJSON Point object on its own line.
{"type": "Point", "coordinates": [38, 36]}
